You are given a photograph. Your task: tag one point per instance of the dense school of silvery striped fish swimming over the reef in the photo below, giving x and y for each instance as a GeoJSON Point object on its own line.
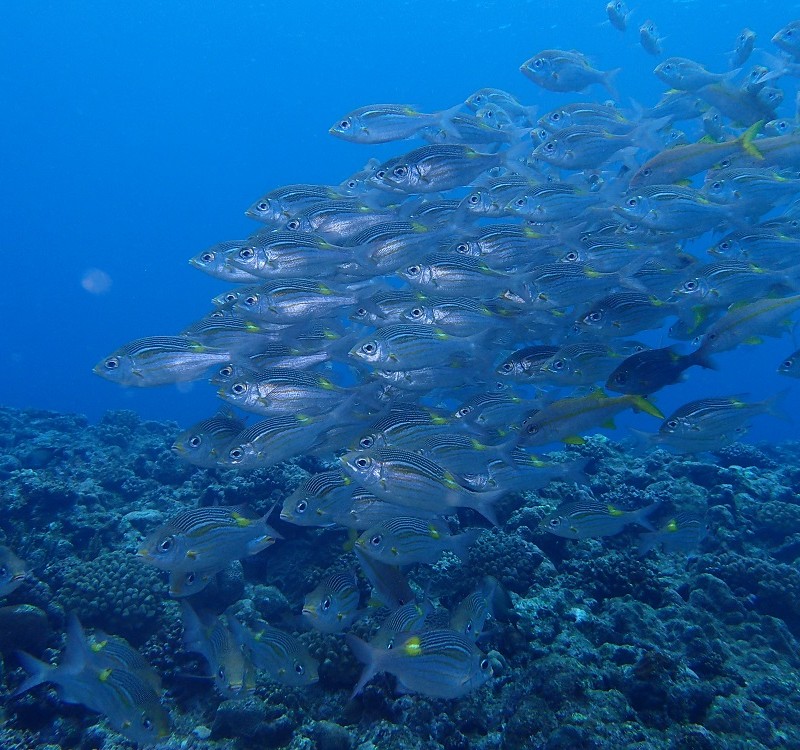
{"type": "Point", "coordinates": [428, 325]}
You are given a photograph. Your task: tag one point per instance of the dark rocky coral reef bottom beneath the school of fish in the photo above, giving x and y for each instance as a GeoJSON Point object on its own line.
{"type": "Point", "coordinates": [606, 648]}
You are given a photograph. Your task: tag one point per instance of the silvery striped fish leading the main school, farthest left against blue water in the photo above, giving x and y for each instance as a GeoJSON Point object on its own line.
{"type": "Point", "coordinates": [159, 360]}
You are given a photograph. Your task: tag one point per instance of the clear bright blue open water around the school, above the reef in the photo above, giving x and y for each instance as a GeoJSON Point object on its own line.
{"type": "Point", "coordinates": [134, 135]}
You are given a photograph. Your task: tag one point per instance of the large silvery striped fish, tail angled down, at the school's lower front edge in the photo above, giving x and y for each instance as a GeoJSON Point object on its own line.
{"type": "Point", "coordinates": [406, 478]}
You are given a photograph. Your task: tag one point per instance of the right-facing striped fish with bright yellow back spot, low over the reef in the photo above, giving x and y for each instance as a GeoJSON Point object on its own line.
{"type": "Point", "coordinates": [436, 663]}
